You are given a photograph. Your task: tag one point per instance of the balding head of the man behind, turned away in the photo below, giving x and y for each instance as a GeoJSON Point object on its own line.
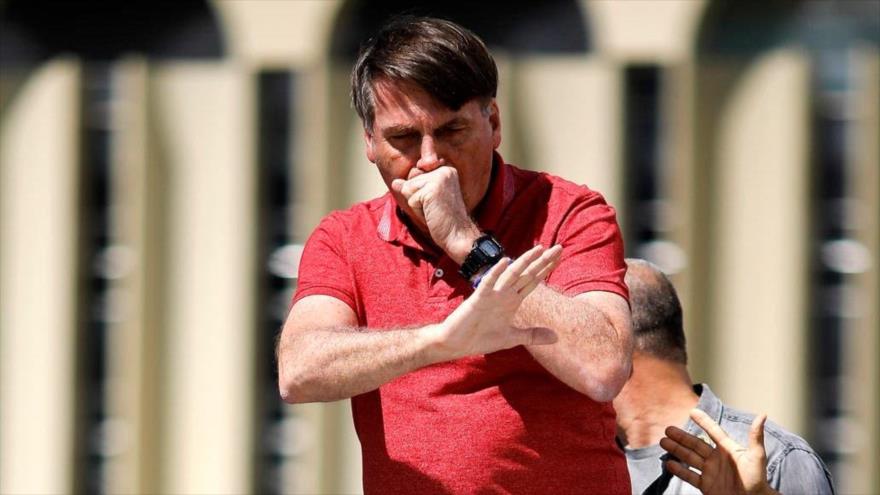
{"type": "Point", "coordinates": [656, 312]}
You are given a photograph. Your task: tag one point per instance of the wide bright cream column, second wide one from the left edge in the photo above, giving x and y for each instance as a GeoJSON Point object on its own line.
{"type": "Point", "coordinates": [205, 115]}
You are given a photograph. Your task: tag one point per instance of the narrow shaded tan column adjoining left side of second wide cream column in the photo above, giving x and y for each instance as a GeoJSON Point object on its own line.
{"type": "Point", "coordinates": [136, 272]}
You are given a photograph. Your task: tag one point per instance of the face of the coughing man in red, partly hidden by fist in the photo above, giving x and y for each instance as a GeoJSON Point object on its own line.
{"type": "Point", "coordinates": [413, 134]}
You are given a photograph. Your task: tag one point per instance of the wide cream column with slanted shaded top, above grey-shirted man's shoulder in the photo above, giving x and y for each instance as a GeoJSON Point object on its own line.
{"type": "Point", "coordinates": [760, 248]}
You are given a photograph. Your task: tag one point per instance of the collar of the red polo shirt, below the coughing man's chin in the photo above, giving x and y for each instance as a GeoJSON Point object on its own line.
{"type": "Point", "coordinates": [394, 228]}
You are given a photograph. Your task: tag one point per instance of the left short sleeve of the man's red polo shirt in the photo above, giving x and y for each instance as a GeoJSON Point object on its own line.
{"type": "Point", "coordinates": [324, 268]}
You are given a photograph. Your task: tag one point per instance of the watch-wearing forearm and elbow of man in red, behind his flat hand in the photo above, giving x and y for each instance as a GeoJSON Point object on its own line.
{"type": "Point", "coordinates": [593, 354]}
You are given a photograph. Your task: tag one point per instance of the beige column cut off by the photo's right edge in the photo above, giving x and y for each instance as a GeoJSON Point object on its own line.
{"type": "Point", "coordinates": [862, 344]}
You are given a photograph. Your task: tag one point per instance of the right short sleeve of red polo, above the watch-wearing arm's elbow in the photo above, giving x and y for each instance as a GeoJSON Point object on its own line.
{"type": "Point", "coordinates": [592, 250]}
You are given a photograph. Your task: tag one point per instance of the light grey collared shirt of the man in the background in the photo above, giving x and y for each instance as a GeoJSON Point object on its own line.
{"type": "Point", "coordinates": [792, 465]}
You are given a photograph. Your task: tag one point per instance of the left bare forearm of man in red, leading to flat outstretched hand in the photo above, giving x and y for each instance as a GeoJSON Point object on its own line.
{"type": "Point", "coordinates": [331, 364]}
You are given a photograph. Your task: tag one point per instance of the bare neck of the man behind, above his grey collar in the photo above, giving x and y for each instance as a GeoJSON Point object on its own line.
{"type": "Point", "coordinates": [659, 394]}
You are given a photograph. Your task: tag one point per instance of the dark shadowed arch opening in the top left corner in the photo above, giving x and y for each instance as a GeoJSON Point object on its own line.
{"type": "Point", "coordinates": [34, 31]}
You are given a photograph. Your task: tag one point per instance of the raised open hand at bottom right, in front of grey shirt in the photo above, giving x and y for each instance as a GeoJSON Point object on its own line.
{"type": "Point", "coordinates": [727, 468]}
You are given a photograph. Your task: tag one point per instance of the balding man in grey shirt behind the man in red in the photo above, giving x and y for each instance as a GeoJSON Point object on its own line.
{"type": "Point", "coordinates": [660, 400]}
